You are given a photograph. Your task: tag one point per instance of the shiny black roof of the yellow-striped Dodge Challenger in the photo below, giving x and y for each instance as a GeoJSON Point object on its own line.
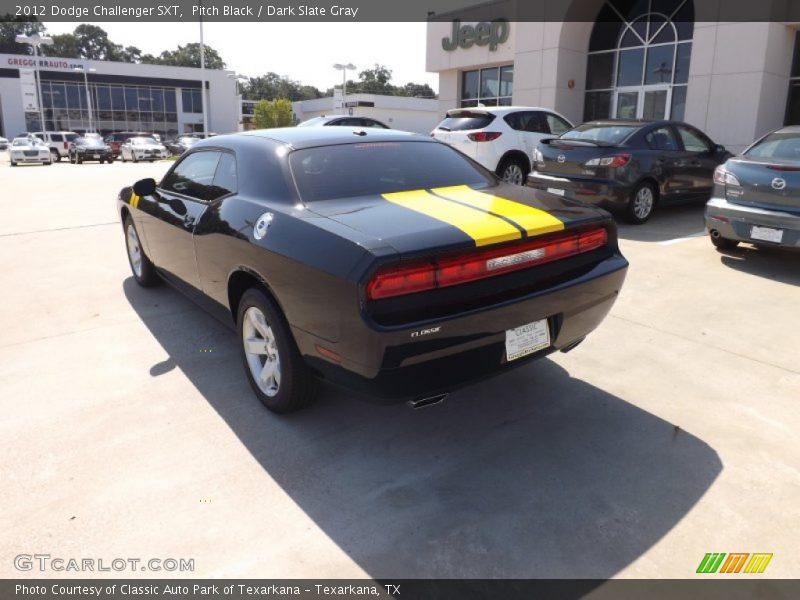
{"type": "Point", "coordinates": [306, 137]}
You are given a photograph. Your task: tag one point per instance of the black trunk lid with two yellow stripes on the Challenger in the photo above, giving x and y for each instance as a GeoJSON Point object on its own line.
{"type": "Point", "coordinates": [457, 217]}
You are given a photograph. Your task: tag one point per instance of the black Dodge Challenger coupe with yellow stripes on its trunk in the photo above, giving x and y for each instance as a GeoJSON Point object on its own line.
{"type": "Point", "coordinates": [384, 261]}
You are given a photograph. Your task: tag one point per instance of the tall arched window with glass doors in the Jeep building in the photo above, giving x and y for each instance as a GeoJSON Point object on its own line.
{"type": "Point", "coordinates": [638, 61]}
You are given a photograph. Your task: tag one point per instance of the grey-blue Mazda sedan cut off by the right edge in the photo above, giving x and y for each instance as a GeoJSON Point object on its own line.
{"type": "Point", "coordinates": [756, 195]}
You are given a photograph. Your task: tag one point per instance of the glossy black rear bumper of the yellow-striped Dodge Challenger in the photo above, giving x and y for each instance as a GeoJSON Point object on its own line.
{"type": "Point", "coordinates": [469, 347]}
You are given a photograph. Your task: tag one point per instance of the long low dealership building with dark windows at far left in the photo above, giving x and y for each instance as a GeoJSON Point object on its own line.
{"type": "Point", "coordinates": [121, 97]}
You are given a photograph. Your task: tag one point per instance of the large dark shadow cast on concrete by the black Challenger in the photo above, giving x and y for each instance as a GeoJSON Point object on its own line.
{"type": "Point", "coordinates": [534, 474]}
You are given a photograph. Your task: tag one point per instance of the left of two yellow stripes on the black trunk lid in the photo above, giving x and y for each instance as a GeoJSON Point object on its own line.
{"type": "Point", "coordinates": [482, 227]}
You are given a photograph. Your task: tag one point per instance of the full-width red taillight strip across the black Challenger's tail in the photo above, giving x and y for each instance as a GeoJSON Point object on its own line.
{"type": "Point", "coordinates": [448, 271]}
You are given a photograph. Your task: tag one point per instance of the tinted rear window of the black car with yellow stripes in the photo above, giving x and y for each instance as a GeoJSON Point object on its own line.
{"type": "Point", "coordinates": [373, 168]}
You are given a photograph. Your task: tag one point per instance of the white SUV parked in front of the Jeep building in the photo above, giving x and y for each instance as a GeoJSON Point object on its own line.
{"type": "Point", "coordinates": [502, 138]}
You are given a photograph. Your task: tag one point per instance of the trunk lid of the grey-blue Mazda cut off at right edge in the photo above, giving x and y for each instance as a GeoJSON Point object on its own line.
{"type": "Point", "coordinates": [765, 183]}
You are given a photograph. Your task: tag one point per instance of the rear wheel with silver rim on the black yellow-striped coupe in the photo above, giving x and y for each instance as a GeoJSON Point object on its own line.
{"type": "Point", "coordinates": [274, 368]}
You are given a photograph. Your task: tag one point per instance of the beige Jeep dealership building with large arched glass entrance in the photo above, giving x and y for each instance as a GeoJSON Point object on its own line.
{"type": "Point", "coordinates": [649, 59]}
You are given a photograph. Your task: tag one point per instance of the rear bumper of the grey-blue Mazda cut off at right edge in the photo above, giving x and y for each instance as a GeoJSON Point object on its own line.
{"type": "Point", "coordinates": [736, 222]}
